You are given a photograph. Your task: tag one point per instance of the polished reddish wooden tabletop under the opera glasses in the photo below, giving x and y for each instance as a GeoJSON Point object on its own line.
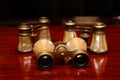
{"type": "Point", "coordinates": [16, 66]}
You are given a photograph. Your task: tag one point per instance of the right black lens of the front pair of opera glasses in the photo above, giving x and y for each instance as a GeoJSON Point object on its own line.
{"type": "Point", "coordinates": [80, 60]}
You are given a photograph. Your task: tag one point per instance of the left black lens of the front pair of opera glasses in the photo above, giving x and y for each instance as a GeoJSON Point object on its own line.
{"type": "Point", "coordinates": [45, 62]}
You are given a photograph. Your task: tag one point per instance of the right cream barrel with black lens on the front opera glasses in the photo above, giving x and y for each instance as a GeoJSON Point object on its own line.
{"type": "Point", "coordinates": [79, 56]}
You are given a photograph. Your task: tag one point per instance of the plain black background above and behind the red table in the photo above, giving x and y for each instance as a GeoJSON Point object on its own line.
{"type": "Point", "coordinates": [57, 8]}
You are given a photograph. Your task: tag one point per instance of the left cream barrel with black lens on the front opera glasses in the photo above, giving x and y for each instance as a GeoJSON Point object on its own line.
{"type": "Point", "coordinates": [43, 49]}
